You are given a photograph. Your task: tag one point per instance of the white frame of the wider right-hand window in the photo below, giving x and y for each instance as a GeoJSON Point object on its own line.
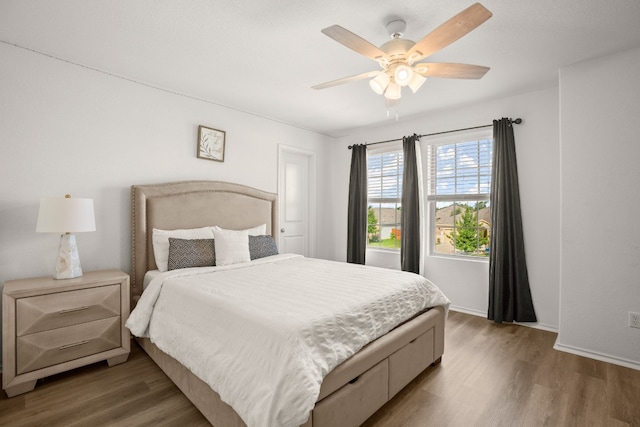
{"type": "Point", "coordinates": [431, 199]}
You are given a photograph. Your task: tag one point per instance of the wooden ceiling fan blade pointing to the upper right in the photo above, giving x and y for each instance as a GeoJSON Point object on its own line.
{"type": "Point", "coordinates": [456, 27]}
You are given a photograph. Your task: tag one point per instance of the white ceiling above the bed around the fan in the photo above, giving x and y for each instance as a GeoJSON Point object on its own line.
{"type": "Point", "coordinates": [263, 57]}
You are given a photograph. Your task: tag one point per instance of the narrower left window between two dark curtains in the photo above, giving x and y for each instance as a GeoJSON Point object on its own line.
{"type": "Point", "coordinates": [384, 182]}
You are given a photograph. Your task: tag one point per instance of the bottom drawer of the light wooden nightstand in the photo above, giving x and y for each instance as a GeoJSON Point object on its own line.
{"type": "Point", "coordinates": [61, 345]}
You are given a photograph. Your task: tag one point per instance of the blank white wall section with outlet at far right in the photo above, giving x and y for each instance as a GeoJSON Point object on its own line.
{"type": "Point", "coordinates": [600, 151]}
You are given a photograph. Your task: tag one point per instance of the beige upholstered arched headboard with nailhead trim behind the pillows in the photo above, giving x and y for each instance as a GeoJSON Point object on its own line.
{"type": "Point", "coordinates": [192, 204]}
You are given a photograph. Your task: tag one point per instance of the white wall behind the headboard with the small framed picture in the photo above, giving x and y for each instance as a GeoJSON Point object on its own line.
{"type": "Point", "coordinates": [68, 129]}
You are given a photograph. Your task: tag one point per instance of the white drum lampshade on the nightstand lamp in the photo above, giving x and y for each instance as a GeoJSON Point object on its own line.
{"type": "Point", "coordinates": [66, 215]}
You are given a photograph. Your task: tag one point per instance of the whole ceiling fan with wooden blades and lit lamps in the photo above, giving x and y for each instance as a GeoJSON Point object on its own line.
{"type": "Point", "coordinates": [399, 57]}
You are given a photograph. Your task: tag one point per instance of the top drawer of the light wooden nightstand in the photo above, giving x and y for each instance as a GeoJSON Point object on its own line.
{"type": "Point", "coordinates": [58, 310]}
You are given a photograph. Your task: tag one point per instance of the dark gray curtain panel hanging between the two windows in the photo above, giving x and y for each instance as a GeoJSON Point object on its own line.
{"type": "Point", "coordinates": [410, 216]}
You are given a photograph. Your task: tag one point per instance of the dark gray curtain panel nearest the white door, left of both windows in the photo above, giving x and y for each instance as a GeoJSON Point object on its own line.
{"type": "Point", "coordinates": [357, 216]}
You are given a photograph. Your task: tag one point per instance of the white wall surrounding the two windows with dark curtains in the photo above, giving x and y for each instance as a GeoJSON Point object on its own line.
{"type": "Point", "coordinates": [537, 146]}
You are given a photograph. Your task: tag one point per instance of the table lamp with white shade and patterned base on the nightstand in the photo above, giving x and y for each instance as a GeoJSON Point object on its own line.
{"type": "Point", "coordinates": [65, 216]}
